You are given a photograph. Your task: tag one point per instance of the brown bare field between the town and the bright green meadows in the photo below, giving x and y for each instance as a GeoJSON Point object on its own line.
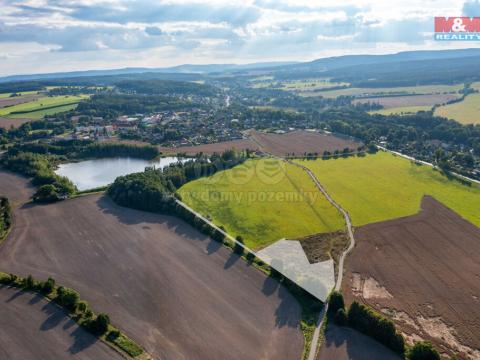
{"type": "Point", "coordinates": [300, 142]}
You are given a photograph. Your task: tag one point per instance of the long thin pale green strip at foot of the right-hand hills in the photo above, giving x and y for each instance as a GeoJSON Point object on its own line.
{"type": "Point", "coordinates": [422, 89]}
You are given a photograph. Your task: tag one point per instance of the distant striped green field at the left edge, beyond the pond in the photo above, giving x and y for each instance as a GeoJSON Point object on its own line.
{"type": "Point", "coordinates": [44, 106]}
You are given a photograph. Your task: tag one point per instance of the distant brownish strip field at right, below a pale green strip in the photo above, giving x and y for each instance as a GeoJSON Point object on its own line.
{"type": "Point", "coordinates": [410, 100]}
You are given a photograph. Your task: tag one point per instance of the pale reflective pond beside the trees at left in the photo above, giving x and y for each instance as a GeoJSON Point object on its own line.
{"type": "Point", "coordinates": [91, 174]}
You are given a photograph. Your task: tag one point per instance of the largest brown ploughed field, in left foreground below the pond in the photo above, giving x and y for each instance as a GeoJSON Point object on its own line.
{"type": "Point", "coordinates": [174, 291]}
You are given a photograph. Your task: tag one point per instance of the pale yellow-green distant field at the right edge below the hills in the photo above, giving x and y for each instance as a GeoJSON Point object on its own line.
{"type": "Point", "coordinates": [465, 112]}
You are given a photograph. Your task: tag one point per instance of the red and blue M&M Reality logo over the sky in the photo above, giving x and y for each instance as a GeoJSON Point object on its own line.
{"type": "Point", "coordinates": [457, 29]}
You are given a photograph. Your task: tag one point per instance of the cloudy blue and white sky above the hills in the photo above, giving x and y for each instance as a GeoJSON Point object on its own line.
{"type": "Point", "coordinates": [39, 36]}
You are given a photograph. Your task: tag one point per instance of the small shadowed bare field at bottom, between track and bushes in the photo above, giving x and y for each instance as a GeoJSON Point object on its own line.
{"type": "Point", "coordinates": [342, 343]}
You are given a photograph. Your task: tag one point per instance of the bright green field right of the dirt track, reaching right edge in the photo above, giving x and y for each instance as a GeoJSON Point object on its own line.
{"type": "Point", "coordinates": [383, 187]}
